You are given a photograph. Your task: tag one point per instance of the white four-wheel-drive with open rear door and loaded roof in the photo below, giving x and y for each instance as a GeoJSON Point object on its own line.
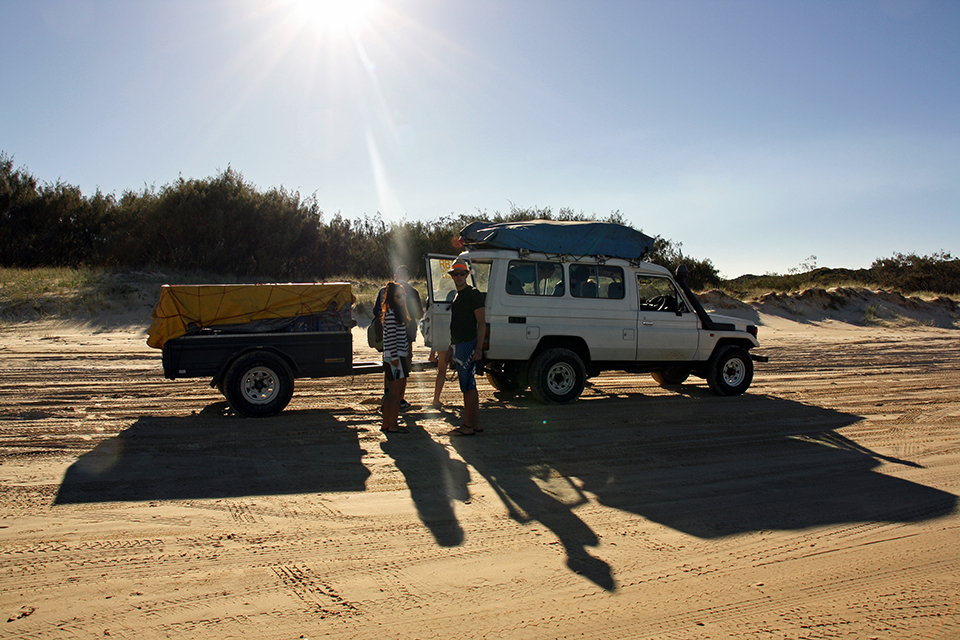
{"type": "Point", "coordinates": [559, 315]}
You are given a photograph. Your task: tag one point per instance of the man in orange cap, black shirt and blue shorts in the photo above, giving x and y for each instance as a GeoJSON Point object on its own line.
{"type": "Point", "coordinates": [468, 329]}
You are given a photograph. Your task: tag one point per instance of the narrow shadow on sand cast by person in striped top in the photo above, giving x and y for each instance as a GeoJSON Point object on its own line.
{"type": "Point", "coordinates": [434, 479]}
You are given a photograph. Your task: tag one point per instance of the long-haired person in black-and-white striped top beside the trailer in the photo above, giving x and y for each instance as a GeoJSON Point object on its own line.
{"type": "Point", "coordinates": [396, 348]}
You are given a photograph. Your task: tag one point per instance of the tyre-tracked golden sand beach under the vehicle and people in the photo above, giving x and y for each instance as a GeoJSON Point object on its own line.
{"type": "Point", "coordinates": [821, 504]}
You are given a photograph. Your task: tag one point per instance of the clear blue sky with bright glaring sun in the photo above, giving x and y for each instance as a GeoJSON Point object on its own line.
{"type": "Point", "coordinates": [761, 135]}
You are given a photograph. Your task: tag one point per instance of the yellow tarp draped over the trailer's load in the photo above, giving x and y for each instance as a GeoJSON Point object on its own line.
{"type": "Point", "coordinates": [207, 305]}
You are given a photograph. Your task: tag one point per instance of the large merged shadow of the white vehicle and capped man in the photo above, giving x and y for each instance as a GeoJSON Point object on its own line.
{"type": "Point", "coordinates": [700, 464]}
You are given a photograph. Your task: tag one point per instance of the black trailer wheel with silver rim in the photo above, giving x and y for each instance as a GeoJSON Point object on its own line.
{"type": "Point", "coordinates": [258, 384]}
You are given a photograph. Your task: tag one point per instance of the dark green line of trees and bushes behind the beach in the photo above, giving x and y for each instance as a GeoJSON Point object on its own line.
{"type": "Point", "coordinates": [225, 225]}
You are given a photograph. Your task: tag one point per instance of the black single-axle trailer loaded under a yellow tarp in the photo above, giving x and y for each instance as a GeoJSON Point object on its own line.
{"type": "Point", "coordinates": [253, 341]}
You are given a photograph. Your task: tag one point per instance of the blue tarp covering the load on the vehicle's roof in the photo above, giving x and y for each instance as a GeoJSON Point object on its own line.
{"type": "Point", "coordinates": [569, 238]}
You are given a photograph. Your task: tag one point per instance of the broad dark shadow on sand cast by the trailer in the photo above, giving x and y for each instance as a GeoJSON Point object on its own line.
{"type": "Point", "coordinates": [211, 455]}
